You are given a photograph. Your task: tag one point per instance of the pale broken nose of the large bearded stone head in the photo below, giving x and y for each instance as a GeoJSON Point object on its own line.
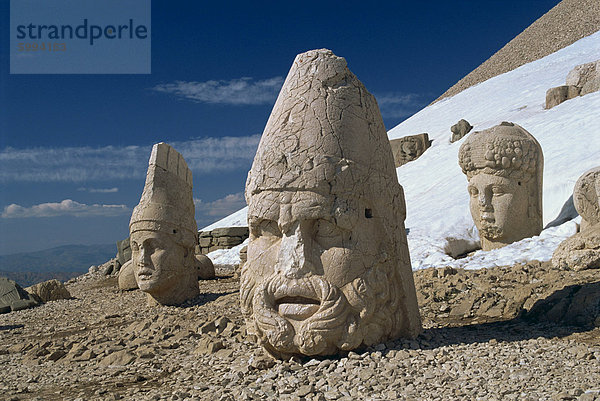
{"type": "Point", "coordinates": [293, 260]}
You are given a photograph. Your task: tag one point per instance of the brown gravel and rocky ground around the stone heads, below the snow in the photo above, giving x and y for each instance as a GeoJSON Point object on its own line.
{"type": "Point", "coordinates": [526, 332]}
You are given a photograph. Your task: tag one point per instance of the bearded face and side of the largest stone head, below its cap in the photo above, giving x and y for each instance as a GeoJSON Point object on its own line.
{"type": "Point", "coordinates": [320, 278]}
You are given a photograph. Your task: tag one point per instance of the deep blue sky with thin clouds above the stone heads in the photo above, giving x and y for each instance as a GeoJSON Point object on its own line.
{"type": "Point", "coordinates": [74, 148]}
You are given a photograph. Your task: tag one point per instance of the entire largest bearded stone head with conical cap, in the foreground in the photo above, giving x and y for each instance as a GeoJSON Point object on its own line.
{"type": "Point", "coordinates": [328, 267]}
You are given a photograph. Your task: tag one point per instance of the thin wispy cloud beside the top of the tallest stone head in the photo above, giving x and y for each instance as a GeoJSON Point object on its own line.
{"type": "Point", "coordinates": [241, 91]}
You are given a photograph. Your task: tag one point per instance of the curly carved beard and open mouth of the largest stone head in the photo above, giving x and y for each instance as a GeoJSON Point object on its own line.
{"type": "Point", "coordinates": [311, 316]}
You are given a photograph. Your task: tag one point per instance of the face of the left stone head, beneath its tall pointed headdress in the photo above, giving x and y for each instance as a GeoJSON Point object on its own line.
{"type": "Point", "coordinates": [159, 262]}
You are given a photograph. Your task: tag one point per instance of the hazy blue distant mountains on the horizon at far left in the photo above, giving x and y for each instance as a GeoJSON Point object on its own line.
{"type": "Point", "coordinates": [62, 263]}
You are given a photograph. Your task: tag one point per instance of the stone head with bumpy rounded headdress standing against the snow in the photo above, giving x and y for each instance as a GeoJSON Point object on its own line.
{"type": "Point", "coordinates": [504, 166]}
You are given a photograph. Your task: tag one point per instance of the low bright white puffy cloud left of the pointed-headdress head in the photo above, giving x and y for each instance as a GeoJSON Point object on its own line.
{"type": "Point", "coordinates": [67, 207]}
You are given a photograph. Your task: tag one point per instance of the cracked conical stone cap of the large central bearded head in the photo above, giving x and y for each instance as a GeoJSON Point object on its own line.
{"type": "Point", "coordinates": [325, 133]}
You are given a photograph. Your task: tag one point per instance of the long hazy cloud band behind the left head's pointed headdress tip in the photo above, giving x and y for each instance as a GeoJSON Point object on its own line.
{"type": "Point", "coordinates": [81, 164]}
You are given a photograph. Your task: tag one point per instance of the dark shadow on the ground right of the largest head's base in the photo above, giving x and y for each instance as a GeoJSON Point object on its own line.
{"type": "Point", "coordinates": [574, 309]}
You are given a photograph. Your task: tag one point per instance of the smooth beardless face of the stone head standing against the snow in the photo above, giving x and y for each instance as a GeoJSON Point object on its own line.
{"type": "Point", "coordinates": [499, 208]}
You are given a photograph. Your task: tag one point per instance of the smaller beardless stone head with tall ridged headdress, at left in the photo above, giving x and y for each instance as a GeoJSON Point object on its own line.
{"type": "Point", "coordinates": [163, 231]}
